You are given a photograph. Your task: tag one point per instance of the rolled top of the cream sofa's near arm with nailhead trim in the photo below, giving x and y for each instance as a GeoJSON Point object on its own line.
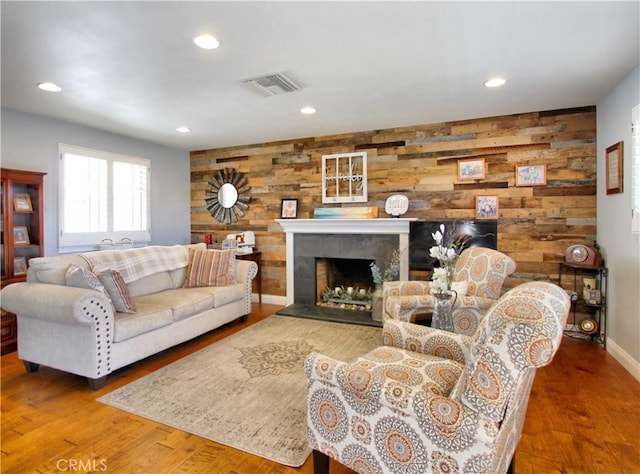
{"type": "Point", "coordinates": [64, 304]}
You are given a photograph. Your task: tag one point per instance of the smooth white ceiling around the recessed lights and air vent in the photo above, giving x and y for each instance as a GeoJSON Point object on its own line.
{"type": "Point", "coordinates": [131, 67]}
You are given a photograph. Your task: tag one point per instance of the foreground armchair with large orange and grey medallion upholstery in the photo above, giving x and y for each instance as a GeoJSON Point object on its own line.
{"type": "Point", "coordinates": [435, 401]}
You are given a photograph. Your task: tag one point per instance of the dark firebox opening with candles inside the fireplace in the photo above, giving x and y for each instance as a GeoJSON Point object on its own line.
{"type": "Point", "coordinates": [344, 283]}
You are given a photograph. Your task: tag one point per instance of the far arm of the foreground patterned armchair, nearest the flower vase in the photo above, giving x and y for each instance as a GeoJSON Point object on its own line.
{"type": "Point", "coordinates": [426, 340]}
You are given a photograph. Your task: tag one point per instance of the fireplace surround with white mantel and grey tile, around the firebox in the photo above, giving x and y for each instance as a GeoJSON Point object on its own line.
{"type": "Point", "coordinates": [308, 239]}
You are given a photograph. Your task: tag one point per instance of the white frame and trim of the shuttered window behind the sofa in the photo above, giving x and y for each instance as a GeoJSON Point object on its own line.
{"type": "Point", "coordinates": [82, 241]}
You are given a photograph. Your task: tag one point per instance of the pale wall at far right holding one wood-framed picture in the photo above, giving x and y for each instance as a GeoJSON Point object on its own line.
{"type": "Point", "coordinates": [620, 248]}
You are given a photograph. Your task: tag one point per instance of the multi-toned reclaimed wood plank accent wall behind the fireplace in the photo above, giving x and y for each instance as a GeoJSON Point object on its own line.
{"type": "Point", "coordinates": [536, 223]}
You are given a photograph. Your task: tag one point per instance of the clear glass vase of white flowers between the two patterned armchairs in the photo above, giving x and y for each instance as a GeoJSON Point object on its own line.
{"type": "Point", "coordinates": [447, 251]}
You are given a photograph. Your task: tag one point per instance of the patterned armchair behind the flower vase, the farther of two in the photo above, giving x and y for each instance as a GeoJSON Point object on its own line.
{"type": "Point", "coordinates": [479, 271]}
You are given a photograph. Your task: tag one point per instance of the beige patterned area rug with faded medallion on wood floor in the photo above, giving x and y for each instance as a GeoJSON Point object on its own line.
{"type": "Point", "coordinates": [263, 361]}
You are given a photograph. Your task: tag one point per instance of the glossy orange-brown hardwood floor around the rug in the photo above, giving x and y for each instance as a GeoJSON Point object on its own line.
{"type": "Point", "coordinates": [583, 417]}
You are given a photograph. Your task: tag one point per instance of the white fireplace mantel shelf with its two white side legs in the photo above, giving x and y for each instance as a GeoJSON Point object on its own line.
{"type": "Point", "coordinates": [397, 226]}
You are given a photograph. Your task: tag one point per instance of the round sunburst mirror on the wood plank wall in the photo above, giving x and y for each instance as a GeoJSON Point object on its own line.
{"type": "Point", "coordinates": [225, 195]}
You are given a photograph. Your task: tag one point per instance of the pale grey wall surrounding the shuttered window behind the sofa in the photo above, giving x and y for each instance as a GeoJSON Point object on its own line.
{"type": "Point", "coordinates": [30, 142]}
